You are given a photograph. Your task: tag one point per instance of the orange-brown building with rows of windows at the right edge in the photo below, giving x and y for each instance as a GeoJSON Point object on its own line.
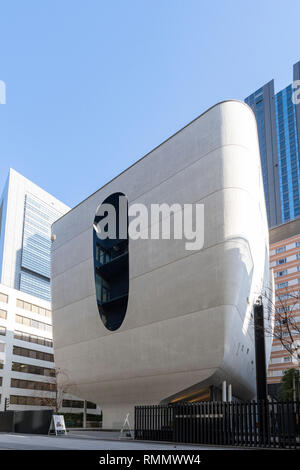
{"type": "Point", "coordinates": [285, 262]}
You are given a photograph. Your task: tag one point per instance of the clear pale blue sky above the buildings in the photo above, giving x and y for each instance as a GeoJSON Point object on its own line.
{"type": "Point", "coordinates": [94, 85]}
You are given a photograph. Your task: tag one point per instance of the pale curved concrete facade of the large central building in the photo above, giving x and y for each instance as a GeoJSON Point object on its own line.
{"type": "Point", "coordinates": [188, 322]}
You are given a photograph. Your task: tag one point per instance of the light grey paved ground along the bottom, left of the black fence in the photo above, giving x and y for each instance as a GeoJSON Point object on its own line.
{"type": "Point", "coordinates": [84, 441]}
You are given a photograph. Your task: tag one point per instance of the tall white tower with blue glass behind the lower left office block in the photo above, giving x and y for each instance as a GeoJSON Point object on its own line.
{"type": "Point", "coordinates": [26, 215]}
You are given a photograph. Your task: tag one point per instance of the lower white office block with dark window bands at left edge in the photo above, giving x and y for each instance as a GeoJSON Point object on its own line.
{"type": "Point", "coordinates": [27, 369]}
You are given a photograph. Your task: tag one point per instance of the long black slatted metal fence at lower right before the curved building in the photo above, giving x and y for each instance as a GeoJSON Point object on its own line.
{"type": "Point", "coordinates": [252, 424]}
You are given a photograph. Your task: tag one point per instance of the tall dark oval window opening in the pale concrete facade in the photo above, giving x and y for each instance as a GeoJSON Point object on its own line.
{"type": "Point", "coordinates": [111, 260]}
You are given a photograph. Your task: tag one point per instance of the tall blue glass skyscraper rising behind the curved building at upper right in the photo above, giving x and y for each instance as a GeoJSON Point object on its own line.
{"type": "Point", "coordinates": [278, 123]}
